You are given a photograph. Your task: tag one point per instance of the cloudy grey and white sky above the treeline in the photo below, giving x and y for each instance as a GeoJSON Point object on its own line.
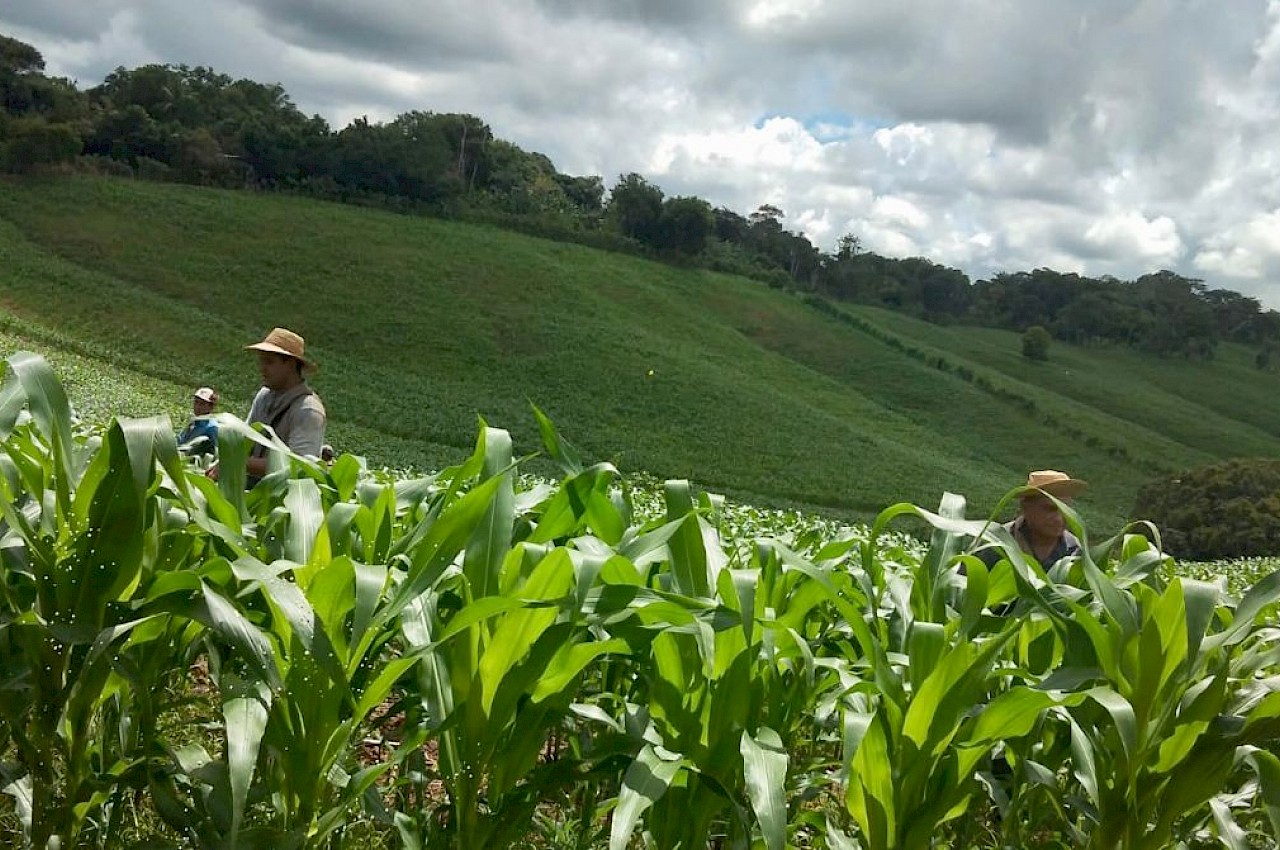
{"type": "Point", "coordinates": [1096, 136]}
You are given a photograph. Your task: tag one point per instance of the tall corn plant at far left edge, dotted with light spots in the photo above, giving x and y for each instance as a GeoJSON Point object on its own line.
{"type": "Point", "coordinates": [90, 637]}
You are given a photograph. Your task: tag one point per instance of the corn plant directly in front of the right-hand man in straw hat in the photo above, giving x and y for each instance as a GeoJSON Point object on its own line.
{"type": "Point", "coordinates": [932, 698]}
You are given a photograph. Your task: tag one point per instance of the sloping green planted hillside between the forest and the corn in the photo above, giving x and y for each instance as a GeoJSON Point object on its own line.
{"type": "Point", "coordinates": [420, 326]}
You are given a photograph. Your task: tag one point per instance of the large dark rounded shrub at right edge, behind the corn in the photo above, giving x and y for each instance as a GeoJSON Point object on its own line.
{"type": "Point", "coordinates": [1229, 510]}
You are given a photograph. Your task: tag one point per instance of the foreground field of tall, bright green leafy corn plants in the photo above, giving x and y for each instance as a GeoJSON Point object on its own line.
{"type": "Point", "coordinates": [469, 661]}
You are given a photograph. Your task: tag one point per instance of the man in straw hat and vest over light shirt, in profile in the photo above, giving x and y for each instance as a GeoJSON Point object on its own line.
{"type": "Point", "coordinates": [285, 403]}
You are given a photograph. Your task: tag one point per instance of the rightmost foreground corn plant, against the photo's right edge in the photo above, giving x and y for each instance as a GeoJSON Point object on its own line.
{"type": "Point", "coordinates": [1180, 686]}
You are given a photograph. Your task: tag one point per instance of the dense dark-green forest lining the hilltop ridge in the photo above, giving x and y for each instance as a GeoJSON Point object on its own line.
{"type": "Point", "coordinates": [198, 126]}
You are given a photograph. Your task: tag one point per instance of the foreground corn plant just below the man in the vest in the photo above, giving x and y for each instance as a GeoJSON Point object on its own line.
{"type": "Point", "coordinates": [292, 721]}
